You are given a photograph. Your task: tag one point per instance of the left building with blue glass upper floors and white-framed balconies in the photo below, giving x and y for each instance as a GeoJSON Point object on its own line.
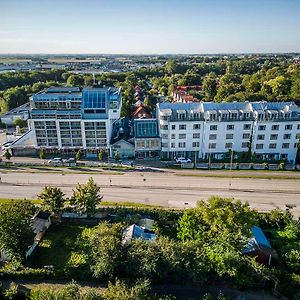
{"type": "Point", "coordinates": [67, 119]}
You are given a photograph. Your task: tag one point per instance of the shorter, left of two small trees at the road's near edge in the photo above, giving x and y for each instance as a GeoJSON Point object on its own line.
{"type": "Point", "coordinates": [53, 199]}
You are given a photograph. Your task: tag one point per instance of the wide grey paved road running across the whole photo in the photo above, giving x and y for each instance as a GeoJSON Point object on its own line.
{"type": "Point", "coordinates": [166, 189]}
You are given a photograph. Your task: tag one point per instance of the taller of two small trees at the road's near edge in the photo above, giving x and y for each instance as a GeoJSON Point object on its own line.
{"type": "Point", "coordinates": [86, 197]}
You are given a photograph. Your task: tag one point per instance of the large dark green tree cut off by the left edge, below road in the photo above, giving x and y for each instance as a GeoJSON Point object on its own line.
{"type": "Point", "coordinates": [16, 235]}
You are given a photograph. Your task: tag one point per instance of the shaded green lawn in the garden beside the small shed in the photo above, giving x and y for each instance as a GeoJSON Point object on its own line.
{"type": "Point", "coordinates": [58, 247]}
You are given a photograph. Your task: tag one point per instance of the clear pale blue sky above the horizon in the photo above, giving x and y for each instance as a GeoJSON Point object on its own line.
{"type": "Point", "coordinates": [149, 26]}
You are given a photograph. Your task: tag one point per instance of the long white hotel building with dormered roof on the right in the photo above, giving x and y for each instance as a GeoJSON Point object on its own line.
{"type": "Point", "coordinates": [267, 130]}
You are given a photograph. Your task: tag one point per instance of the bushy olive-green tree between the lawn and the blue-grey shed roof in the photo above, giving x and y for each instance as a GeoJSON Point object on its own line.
{"type": "Point", "coordinates": [106, 250]}
